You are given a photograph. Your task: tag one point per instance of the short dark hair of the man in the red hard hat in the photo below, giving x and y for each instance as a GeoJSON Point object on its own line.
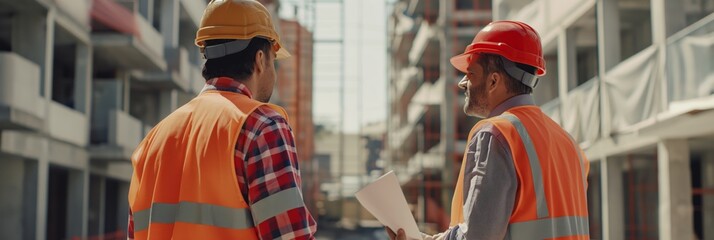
{"type": "Point", "coordinates": [493, 63]}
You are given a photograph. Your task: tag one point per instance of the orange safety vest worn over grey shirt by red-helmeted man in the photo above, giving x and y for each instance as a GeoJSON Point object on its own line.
{"type": "Point", "coordinates": [551, 170]}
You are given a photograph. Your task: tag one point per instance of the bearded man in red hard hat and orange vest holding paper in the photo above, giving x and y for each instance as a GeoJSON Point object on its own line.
{"type": "Point", "coordinates": [522, 176]}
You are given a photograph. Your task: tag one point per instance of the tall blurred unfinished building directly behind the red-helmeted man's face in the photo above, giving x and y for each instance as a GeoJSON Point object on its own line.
{"type": "Point", "coordinates": [427, 129]}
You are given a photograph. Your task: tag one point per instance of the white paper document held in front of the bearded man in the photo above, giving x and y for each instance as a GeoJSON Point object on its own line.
{"type": "Point", "coordinates": [385, 200]}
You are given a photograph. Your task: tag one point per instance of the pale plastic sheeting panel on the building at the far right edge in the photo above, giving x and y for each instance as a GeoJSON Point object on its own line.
{"type": "Point", "coordinates": [690, 63]}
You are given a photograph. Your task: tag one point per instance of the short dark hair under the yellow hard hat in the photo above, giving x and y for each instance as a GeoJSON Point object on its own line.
{"type": "Point", "coordinates": [238, 66]}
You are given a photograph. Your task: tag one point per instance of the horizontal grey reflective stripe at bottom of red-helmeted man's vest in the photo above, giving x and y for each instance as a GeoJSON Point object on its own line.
{"type": "Point", "coordinates": [559, 227]}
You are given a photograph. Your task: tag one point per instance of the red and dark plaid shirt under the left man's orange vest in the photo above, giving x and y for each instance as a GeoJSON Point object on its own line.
{"type": "Point", "coordinates": [266, 159]}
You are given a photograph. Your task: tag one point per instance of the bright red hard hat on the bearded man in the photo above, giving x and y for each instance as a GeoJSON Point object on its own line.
{"type": "Point", "coordinates": [513, 40]}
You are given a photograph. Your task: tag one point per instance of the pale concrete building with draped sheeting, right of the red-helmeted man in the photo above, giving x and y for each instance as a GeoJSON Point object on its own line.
{"type": "Point", "coordinates": [630, 80]}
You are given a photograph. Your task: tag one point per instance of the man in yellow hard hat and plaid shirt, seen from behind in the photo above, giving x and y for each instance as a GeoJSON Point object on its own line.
{"type": "Point", "coordinates": [224, 166]}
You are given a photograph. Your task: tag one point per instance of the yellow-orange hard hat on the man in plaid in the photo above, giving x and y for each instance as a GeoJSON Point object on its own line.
{"type": "Point", "coordinates": [241, 20]}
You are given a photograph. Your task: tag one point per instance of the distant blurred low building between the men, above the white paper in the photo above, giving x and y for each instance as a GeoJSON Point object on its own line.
{"type": "Point", "coordinates": [340, 179]}
